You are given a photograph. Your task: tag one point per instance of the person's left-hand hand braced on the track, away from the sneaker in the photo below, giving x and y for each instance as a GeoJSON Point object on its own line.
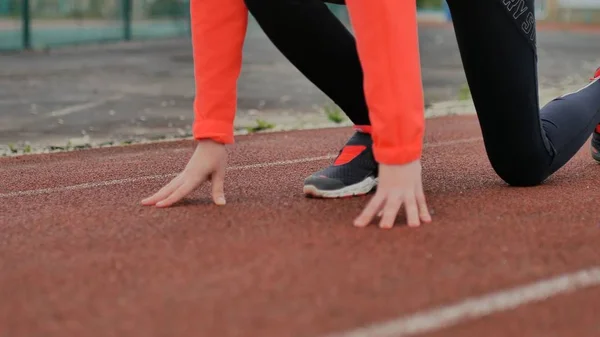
{"type": "Point", "coordinates": [208, 163]}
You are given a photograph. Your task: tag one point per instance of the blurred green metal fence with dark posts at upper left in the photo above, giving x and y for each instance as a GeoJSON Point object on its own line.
{"type": "Point", "coordinates": [38, 24]}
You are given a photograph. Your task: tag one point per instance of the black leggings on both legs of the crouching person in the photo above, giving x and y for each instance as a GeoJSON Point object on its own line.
{"type": "Point", "coordinates": [496, 39]}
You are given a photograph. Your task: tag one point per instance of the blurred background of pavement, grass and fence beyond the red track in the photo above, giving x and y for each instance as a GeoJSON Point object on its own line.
{"type": "Point", "coordinates": [83, 73]}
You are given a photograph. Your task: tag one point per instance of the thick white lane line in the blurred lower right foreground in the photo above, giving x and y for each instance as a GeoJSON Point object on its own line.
{"type": "Point", "coordinates": [477, 307]}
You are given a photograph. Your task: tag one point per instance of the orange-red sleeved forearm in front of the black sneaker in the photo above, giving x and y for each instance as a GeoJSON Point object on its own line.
{"type": "Point", "coordinates": [387, 40]}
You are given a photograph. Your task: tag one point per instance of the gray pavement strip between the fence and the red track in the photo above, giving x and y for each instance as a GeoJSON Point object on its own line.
{"type": "Point", "coordinates": [144, 90]}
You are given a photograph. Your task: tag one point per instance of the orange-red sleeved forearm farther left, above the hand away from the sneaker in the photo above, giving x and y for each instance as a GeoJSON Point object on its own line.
{"type": "Point", "coordinates": [218, 32]}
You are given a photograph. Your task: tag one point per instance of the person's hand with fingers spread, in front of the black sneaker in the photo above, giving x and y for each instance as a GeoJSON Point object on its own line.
{"type": "Point", "coordinates": [398, 185]}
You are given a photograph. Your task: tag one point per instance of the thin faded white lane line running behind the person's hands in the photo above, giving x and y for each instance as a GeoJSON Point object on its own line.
{"type": "Point", "coordinates": [161, 176]}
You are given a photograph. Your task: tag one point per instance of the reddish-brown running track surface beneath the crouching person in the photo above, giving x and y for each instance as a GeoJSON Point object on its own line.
{"type": "Point", "coordinates": [80, 257]}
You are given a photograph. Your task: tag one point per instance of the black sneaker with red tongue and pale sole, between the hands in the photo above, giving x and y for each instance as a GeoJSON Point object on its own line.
{"type": "Point", "coordinates": [353, 173]}
